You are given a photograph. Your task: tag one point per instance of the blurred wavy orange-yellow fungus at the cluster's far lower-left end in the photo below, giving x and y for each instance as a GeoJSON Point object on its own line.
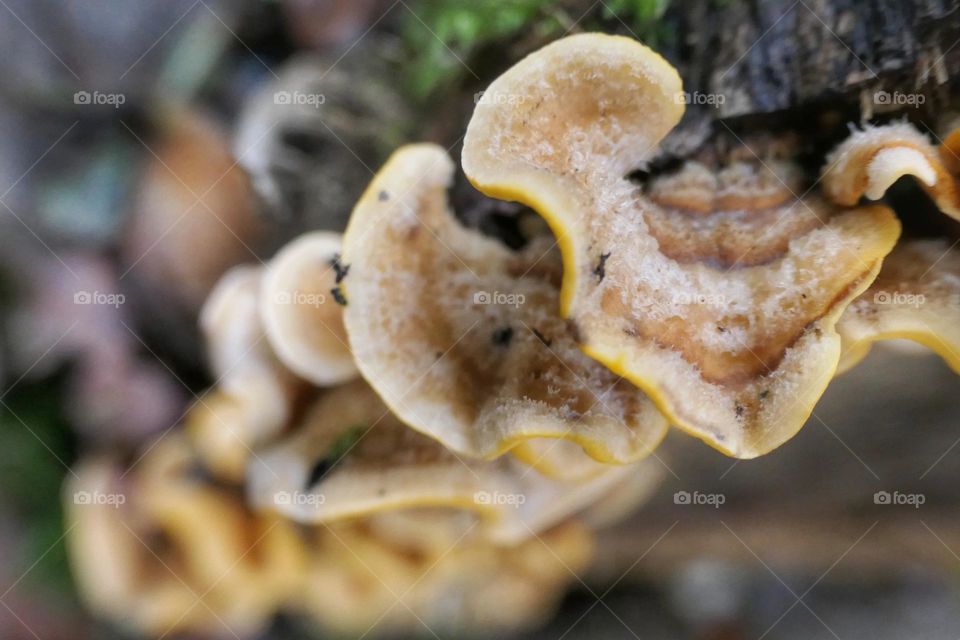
{"type": "Point", "coordinates": [165, 551]}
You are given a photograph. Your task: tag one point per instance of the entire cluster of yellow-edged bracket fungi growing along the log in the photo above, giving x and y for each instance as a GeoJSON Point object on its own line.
{"type": "Point", "coordinates": [420, 425]}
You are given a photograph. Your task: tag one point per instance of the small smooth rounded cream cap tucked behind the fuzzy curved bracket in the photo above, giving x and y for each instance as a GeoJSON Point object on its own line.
{"type": "Point", "coordinates": [301, 317]}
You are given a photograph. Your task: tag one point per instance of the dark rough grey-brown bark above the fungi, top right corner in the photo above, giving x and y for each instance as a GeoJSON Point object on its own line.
{"type": "Point", "coordinates": [812, 64]}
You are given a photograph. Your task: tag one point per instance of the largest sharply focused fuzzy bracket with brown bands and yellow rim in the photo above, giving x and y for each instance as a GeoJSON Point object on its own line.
{"type": "Point", "coordinates": [736, 352]}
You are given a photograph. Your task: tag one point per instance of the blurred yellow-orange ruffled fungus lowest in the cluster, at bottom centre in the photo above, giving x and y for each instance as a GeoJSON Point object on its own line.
{"type": "Point", "coordinates": [462, 587]}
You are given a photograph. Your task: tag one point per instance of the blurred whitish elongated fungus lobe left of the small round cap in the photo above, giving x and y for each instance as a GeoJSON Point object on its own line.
{"type": "Point", "coordinates": [254, 392]}
